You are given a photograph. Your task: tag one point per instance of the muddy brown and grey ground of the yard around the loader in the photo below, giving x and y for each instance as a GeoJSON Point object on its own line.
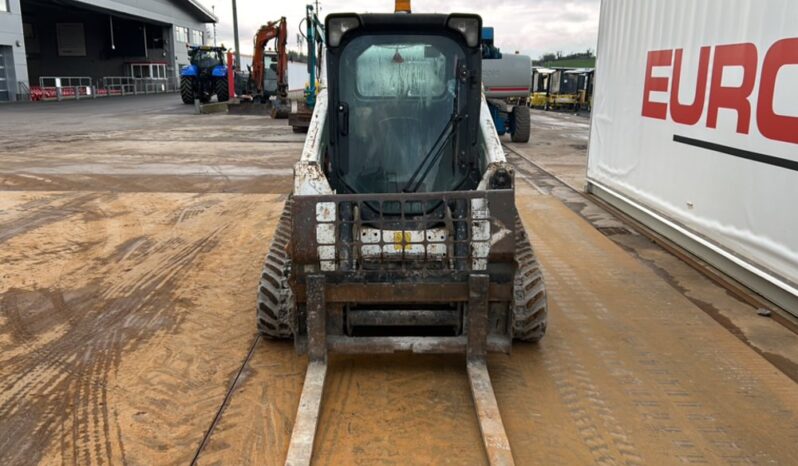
{"type": "Point", "coordinates": [131, 236]}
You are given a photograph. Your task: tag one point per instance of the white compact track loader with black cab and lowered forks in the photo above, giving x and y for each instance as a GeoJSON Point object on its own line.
{"type": "Point", "coordinates": [402, 234]}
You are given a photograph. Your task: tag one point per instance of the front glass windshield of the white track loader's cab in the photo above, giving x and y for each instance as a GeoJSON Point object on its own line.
{"type": "Point", "coordinates": [399, 95]}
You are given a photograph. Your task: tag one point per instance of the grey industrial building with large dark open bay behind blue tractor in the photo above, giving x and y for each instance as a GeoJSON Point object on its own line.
{"type": "Point", "coordinates": [95, 42]}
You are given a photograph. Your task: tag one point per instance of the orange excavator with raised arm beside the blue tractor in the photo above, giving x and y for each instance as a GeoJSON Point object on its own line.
{"type": "Point", "coordinates": [272, 30]}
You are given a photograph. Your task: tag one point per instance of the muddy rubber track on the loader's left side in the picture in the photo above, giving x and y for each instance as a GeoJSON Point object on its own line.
{"type": "Point", "coordinates": [275, 299]}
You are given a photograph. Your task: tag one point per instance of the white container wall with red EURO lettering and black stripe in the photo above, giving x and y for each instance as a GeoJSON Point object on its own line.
{"type": "Point", "coordinates": [695, 129]}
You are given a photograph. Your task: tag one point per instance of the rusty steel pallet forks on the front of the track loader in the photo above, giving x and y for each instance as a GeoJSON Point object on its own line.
{"type": "Point", "coordinates": [474, 345]}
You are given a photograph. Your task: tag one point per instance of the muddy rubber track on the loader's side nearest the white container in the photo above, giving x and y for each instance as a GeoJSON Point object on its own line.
{"type": "Point", "coordinates": [529, 308]}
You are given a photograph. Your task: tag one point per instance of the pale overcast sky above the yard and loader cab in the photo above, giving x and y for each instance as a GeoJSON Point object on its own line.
{"type": "Point", "coordinates": [532, 27]}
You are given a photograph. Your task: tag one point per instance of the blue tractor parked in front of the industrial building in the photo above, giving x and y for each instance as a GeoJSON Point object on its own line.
{"type": "Point", "coordinates": [205, 76]}
